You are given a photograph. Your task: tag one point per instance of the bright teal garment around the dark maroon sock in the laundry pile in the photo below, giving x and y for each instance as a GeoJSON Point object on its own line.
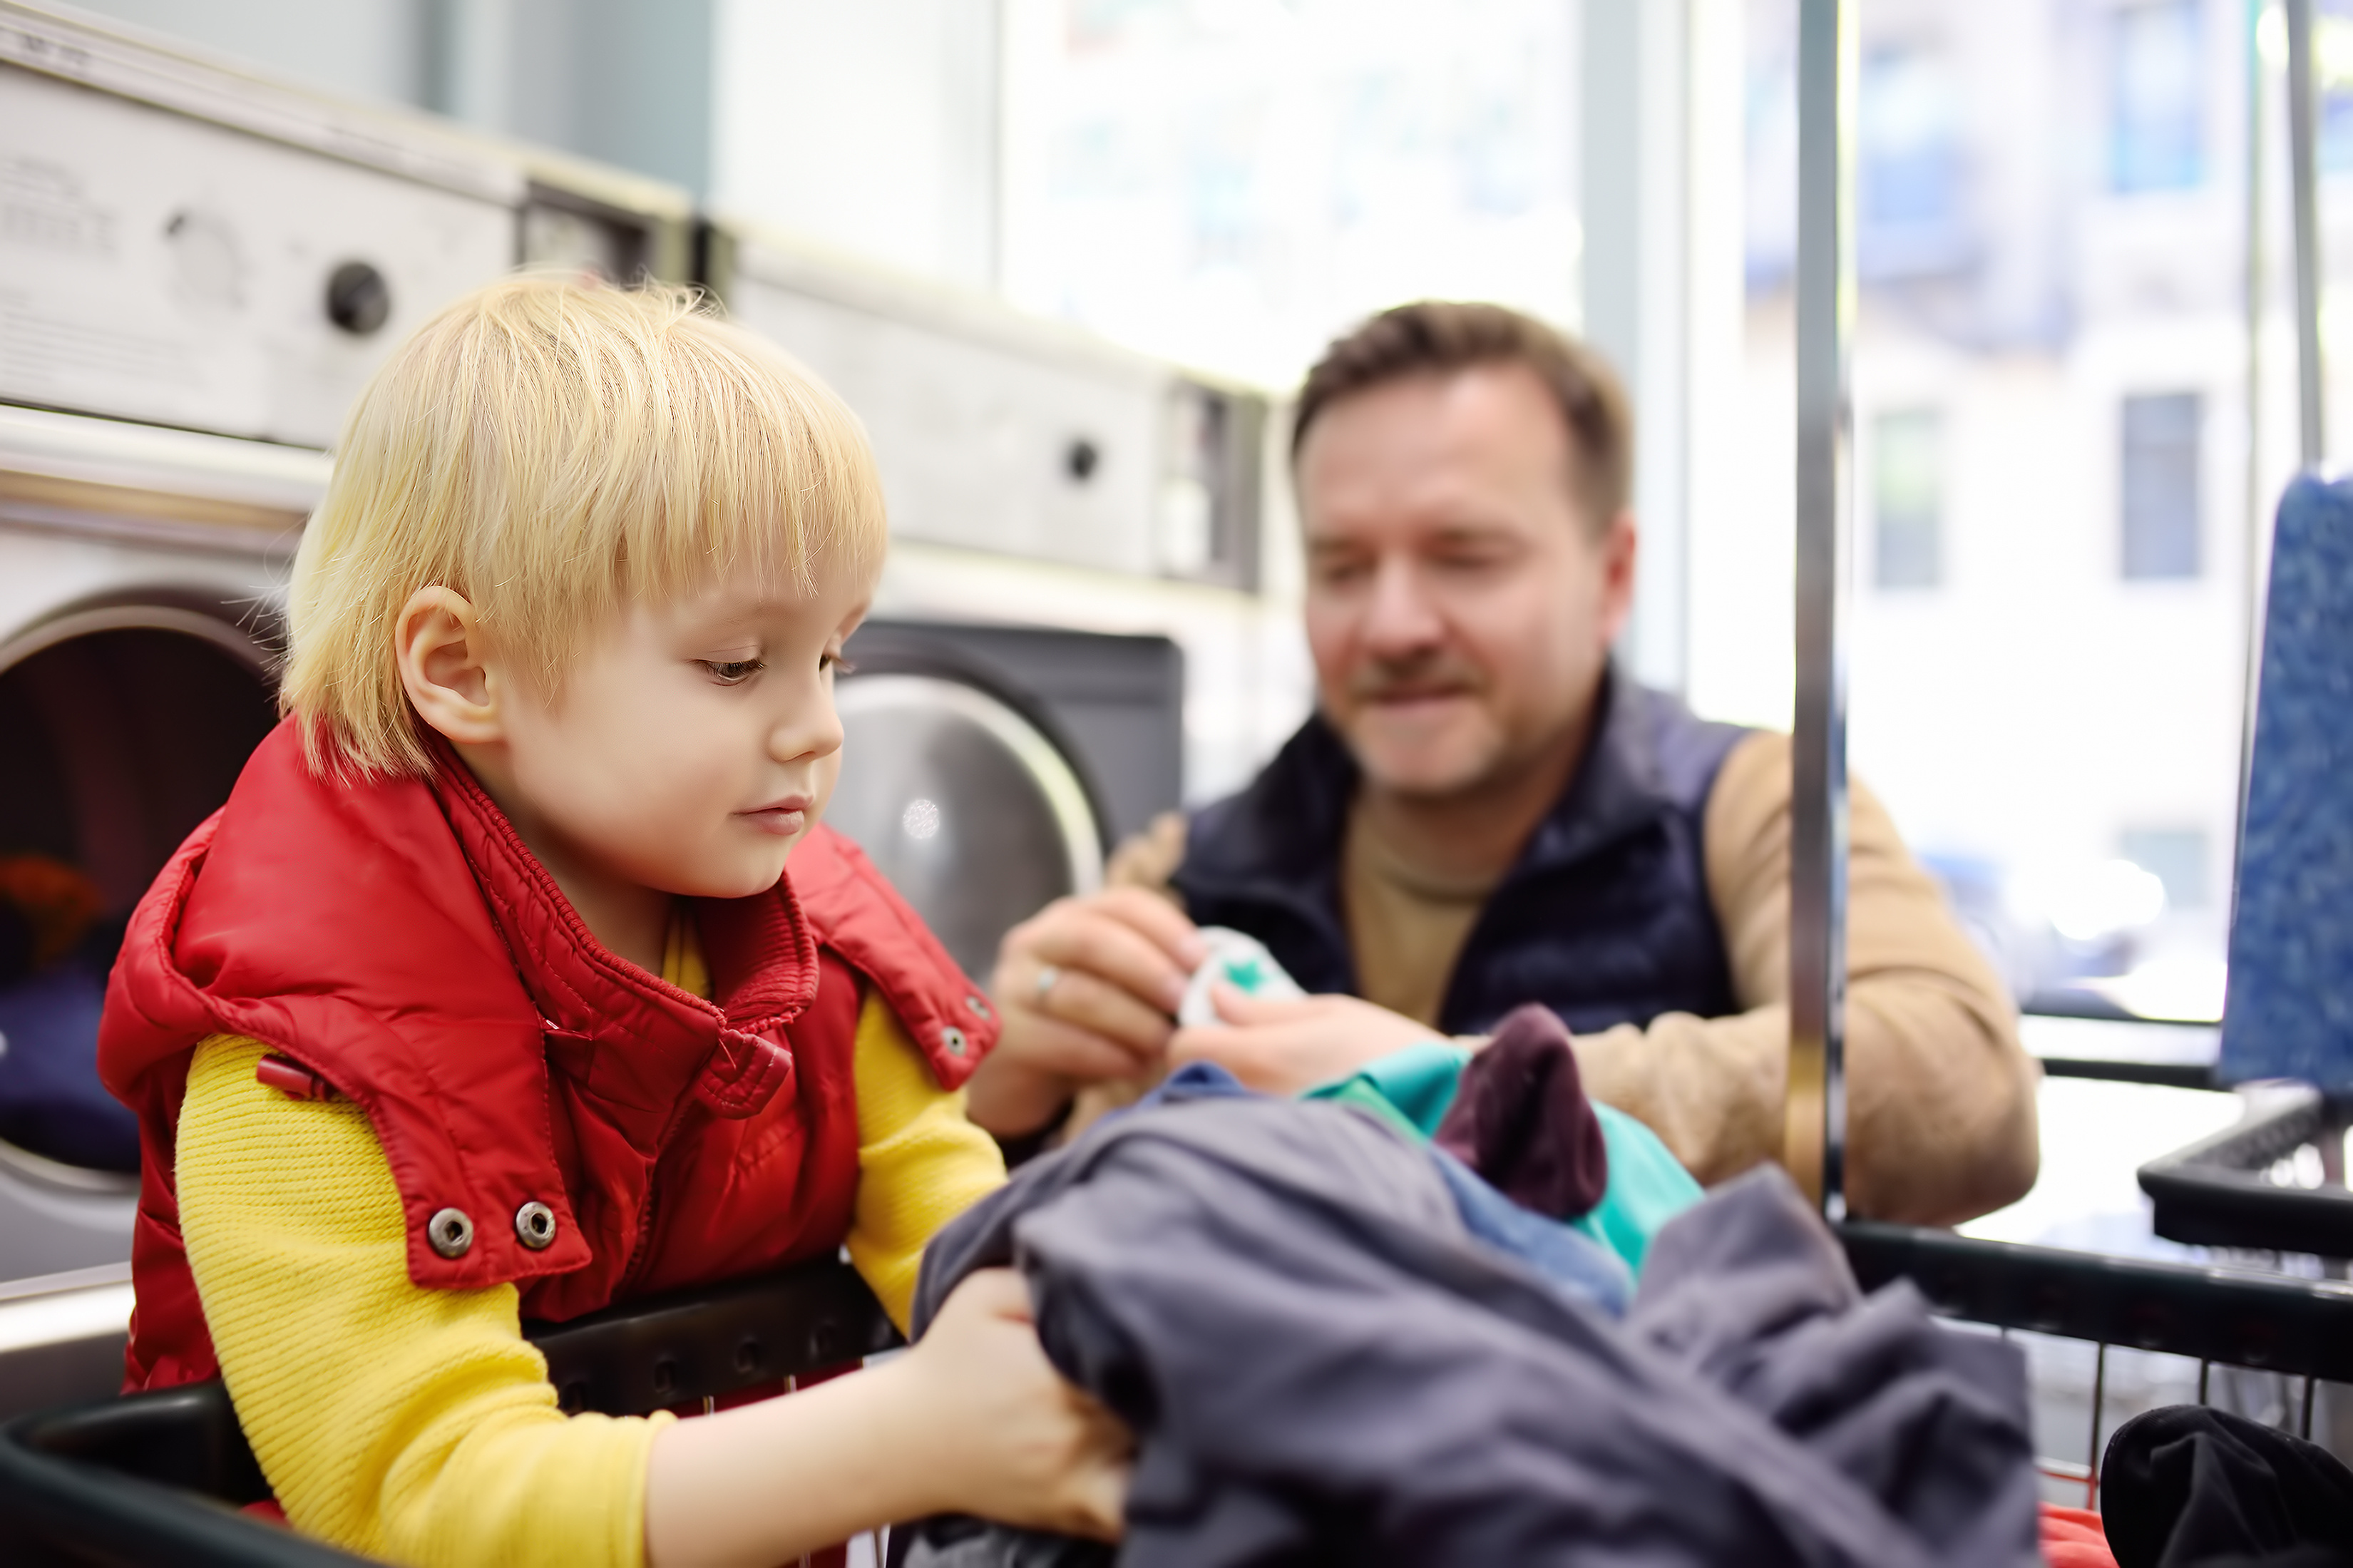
{"type": "Point", "coordinates": [1413, 1091]}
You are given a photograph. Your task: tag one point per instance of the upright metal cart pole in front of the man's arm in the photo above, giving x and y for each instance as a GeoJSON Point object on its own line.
{"type": "Point", "coordinates": [1818, 842]}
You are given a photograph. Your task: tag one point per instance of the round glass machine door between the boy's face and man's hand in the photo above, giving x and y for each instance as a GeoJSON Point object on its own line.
{"type": "Point", "coordinates": [964, 804]}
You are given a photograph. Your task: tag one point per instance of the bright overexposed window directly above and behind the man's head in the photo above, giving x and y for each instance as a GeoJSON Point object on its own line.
{"type": "Point", "coordinates": [1234, 185]}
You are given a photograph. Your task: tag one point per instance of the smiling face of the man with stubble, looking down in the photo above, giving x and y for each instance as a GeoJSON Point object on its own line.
{"type": "Point", "coordinates": [1460, 599]}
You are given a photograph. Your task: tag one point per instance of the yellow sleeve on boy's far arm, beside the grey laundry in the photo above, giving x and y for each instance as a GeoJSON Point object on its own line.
{"type": "Point", "coordinates": [921, 1164]}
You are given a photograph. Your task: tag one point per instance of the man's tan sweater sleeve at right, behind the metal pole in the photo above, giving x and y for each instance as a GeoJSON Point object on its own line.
{"type": "Point", "coordinates": [1940, 1094]}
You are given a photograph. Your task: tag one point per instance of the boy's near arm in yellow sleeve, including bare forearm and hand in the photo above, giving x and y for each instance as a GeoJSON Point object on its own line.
{"type": "Point", "coordinates": [418, 1426]}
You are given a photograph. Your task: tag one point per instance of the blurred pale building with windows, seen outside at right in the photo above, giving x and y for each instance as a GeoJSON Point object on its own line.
{"type": "Point", "coordinates": [2058, 453]}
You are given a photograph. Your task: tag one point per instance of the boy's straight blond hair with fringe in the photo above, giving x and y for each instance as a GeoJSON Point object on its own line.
{"type": "Point", "coordinates": [554, 451]}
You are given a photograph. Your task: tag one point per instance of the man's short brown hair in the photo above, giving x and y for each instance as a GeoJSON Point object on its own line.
{"type": "Point", "coordinates": [1441, 335]}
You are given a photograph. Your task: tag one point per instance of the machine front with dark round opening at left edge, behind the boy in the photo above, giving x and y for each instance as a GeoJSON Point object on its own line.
{"type": "Point", "coordinates": [140, 587]}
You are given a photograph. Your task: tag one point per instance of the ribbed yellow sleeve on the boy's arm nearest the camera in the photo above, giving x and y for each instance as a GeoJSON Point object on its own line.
{"type": "Point", "coordinates": [392, 1421]}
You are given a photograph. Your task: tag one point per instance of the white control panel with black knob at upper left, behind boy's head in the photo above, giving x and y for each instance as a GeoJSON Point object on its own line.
{"type": "Point", "coordinates": [168, 270]}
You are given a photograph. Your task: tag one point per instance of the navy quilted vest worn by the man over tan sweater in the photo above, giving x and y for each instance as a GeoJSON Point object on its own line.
{"type": "Point", "coordinates": [1606, 917]}
